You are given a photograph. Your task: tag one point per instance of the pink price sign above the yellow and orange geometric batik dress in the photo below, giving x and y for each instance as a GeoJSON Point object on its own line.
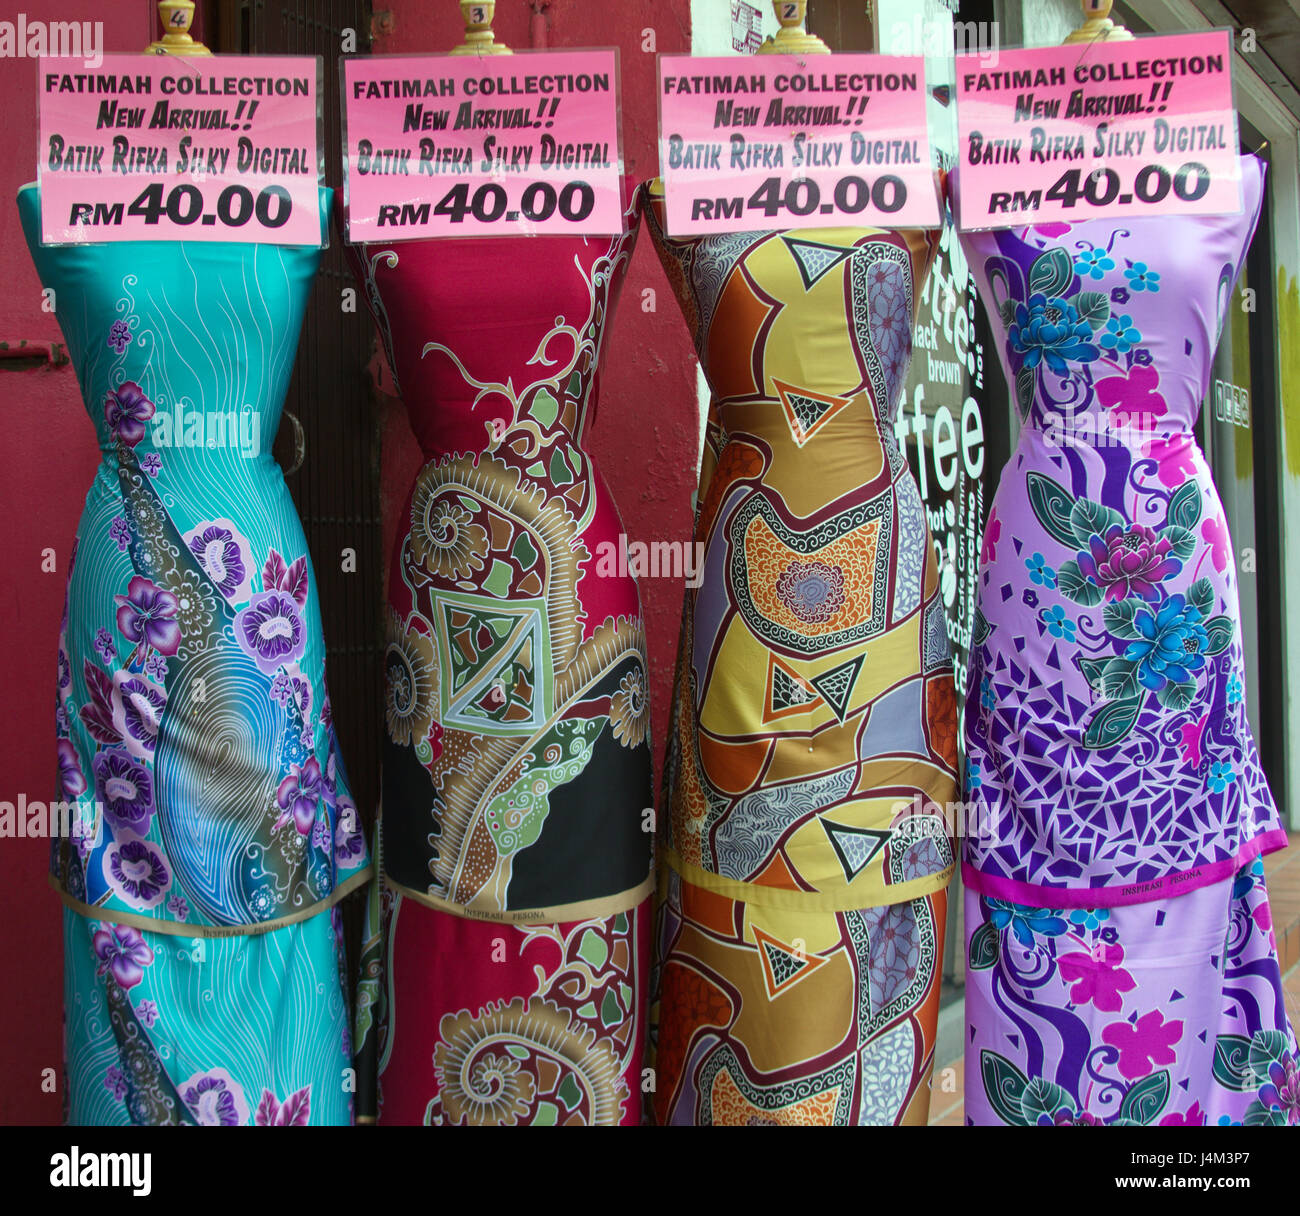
{"type": "Point", "coordinates": [787, 142]}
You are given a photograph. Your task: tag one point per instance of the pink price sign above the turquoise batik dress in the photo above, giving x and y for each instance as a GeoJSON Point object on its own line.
{"type": "Point", "coordinates": [154, 148]}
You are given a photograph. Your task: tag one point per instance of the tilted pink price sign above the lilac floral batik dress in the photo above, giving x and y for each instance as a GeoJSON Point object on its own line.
{"type": "Point", "coordinates": [1110, 129]}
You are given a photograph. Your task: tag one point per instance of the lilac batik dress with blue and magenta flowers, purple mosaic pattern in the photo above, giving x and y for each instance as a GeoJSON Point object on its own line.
{"type": "Point", "coordinates": [1121, 962]}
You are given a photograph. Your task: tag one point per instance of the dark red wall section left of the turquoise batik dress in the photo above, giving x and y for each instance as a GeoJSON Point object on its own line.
{"type": "Point", "coordinates": [49, 456]}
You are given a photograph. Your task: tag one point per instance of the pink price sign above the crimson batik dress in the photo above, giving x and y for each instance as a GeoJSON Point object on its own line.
{"type": "Point", "coordinates": [469, 146]}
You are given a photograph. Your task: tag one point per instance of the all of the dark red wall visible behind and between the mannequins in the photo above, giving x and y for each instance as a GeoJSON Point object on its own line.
{"type": "Point", "coordinates": [644, 442]}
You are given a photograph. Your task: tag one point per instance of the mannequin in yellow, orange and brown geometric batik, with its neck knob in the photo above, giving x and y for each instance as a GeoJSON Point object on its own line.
{"type": "Point", "coordinates": [814, 695]}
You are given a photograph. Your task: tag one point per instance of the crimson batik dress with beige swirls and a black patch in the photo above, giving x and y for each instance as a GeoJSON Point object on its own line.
{"type": "Point", "coordinates": [504, 977]}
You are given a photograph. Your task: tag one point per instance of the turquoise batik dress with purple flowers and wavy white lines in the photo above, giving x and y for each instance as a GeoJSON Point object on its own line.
{"type": "Point", "coordinates": [213, 832]}
